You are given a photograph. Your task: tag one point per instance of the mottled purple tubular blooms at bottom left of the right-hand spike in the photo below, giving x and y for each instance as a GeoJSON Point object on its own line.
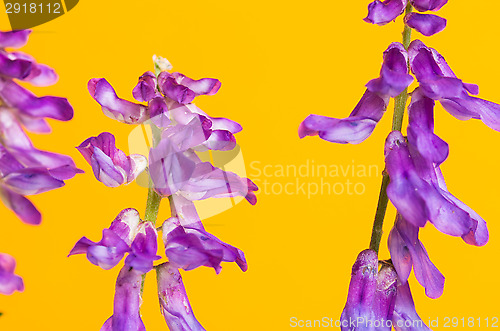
{"type": "Point", "coordinates": [371, 296]}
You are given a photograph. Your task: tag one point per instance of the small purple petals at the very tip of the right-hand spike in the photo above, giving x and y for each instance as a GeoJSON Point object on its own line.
{"type": "Point", "coordinates": [427, 24]}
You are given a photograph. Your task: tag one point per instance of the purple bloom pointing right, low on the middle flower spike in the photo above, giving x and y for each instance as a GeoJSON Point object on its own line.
{"type": "Point", "coordinates": [188, 248]}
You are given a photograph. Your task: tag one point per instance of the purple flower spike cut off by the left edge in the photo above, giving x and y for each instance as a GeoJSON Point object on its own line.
{"type": "Point", "coordinates": [25, 170]}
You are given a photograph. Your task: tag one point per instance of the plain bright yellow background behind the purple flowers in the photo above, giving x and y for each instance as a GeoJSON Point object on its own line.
{"type": "Point", "coordinates": [278, 62]}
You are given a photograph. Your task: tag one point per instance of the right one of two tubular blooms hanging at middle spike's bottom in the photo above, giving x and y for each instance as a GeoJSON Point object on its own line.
{"type": "Point", "coordinates": [174, 302]}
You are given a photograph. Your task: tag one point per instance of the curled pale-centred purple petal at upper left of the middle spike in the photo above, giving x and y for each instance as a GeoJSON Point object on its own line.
{"type": "Point", "coordinates": [114, 107]}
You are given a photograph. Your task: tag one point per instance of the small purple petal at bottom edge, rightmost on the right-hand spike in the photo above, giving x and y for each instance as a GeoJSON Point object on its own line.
{"type": "Point", "coordinates": [405, 318]}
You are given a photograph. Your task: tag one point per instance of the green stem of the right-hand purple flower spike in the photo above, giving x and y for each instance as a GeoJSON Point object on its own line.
{"type": "Point", "coordinates": [397, 124]}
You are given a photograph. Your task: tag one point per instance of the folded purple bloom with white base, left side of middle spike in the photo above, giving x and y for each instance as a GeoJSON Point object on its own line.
{"type": "Point", "coordinates": [110, 165]}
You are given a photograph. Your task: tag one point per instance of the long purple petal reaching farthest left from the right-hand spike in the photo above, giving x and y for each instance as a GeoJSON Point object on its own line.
{"type": "Point", "coordinates": [354, 129]}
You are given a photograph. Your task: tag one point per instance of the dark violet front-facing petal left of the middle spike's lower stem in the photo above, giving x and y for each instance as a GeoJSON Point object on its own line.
{"type": "Point", "coordinates": [144, 248]}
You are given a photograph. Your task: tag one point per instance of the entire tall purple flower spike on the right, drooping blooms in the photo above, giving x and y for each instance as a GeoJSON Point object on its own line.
{"type": "Point", "coordinates": [416, 185]}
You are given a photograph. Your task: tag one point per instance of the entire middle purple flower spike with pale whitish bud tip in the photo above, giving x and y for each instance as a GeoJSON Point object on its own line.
{"type": "Point", "coordinates": [180, 130]}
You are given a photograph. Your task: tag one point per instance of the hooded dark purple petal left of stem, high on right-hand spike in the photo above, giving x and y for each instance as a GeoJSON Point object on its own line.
{"type": "Point", "coordinates": [394, 77]}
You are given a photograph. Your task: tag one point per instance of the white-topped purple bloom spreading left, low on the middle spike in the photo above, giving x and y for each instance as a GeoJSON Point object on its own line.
{"type": "Point", "coordinates": [127, 234]}
